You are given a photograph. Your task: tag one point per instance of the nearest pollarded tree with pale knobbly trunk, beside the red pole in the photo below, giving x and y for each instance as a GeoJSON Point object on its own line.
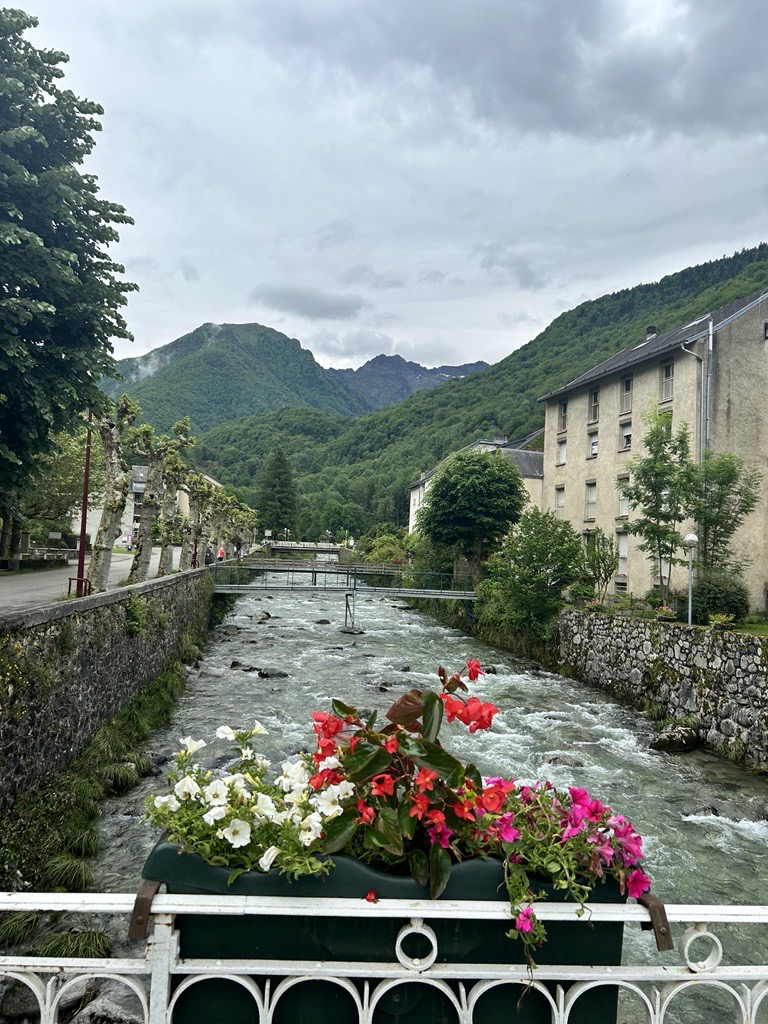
{"type": "Point", "coordinates": [118, 480]}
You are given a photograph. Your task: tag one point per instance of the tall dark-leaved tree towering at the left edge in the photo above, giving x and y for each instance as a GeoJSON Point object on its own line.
{"type": "Point", "coordinates": [60, 292]}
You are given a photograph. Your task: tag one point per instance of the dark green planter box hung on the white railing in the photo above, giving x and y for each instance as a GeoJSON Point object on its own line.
{"type": "Point", "coordinates": [329, 940]}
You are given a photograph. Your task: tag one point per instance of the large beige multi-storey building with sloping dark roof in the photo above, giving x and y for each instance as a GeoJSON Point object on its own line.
{"type": "Point", "coordinates": [711, 374]}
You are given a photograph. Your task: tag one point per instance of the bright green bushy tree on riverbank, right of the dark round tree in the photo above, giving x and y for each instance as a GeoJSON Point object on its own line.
{"type": "Point", "coordinates": [524, 593]}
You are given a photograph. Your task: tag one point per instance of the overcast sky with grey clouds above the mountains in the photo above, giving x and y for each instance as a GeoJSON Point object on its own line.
{"type": "Point", "coordinates": [434, 179]}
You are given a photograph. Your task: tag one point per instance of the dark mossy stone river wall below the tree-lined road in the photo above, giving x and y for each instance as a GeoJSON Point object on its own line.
{"type": "Point", "coordinates": [68, 669]}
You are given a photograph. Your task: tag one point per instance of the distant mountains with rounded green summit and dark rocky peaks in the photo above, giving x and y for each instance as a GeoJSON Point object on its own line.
{"type": "Point", "coordinates": [223, 372]}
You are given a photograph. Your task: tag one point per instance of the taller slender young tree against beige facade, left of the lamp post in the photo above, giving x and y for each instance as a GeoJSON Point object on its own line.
{"type": "Point", "coordinates": [660, 489]}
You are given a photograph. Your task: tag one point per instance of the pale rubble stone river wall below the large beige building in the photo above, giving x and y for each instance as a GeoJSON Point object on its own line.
{"type": "Point", "coordinates": [717, 675]}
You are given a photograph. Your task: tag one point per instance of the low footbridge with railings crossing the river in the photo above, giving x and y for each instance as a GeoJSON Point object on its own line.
{"type": "Point", "coordinates": [315, 574]}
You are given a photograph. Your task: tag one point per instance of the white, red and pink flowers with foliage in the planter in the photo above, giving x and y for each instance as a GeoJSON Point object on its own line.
{"type": "Point", "coordinates": [394, 797]}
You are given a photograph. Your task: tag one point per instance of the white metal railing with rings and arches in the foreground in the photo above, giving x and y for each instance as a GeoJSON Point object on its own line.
{"type": "Point", "coordinates": [654, 993]}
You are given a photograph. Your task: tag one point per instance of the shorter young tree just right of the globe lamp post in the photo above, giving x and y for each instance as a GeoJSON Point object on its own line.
{"type": "Point", "coordinates": [726, 491]}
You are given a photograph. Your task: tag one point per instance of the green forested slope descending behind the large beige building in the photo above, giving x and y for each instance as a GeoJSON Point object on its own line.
{"type": "Point", "coordinates": [352, 475]}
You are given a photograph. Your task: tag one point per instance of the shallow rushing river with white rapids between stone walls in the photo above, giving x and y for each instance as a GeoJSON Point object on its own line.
{"type": "Point", "coordinates": [550, 728]}
